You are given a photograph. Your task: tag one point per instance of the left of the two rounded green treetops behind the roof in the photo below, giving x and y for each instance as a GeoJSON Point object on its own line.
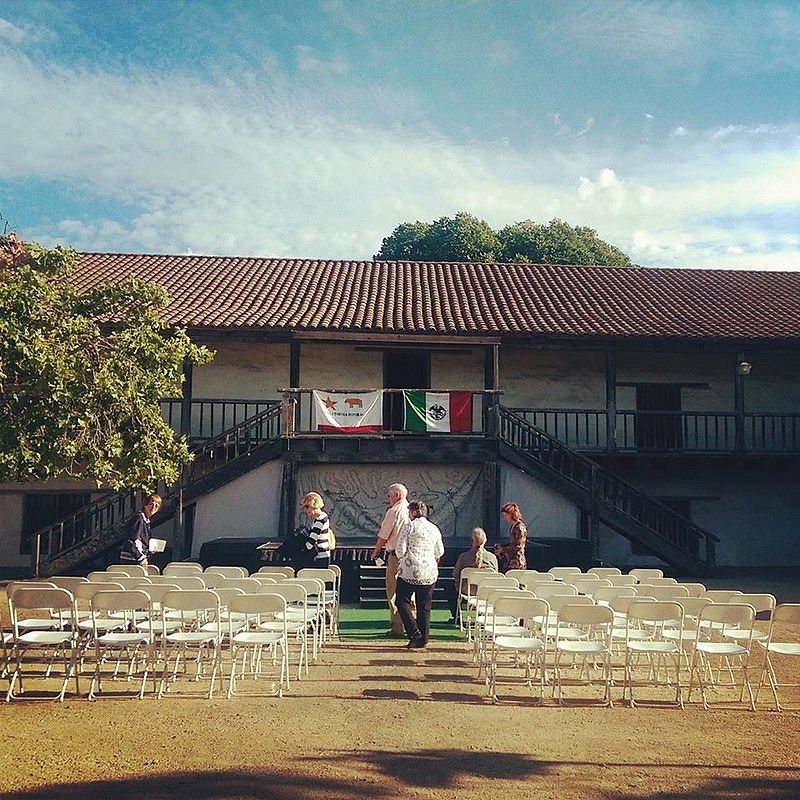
{"type": "Point", "coordinates": [462, 238]}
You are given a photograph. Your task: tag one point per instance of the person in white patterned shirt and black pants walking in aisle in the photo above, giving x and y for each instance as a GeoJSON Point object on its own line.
{"type": "Point", "coordinates": [419, 548]}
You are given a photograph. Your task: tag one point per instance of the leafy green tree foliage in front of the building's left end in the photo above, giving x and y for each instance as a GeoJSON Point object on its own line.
{"type": "Point", "coordinates": [81, 374]}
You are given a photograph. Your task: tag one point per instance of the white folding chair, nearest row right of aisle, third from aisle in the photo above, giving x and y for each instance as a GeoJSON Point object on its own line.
{"type": "Point", "coordinates": [659, 651]}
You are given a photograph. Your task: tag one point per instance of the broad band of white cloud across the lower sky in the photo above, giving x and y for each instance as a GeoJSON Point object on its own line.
{"type": "Point", "coordinates": [281, 169]}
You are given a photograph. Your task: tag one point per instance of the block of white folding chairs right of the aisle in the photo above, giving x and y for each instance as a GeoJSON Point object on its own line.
{"type": "Point", "coordinates": [709, 641]}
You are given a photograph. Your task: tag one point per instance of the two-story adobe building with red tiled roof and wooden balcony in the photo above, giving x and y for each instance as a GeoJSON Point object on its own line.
{"type": "Point", "coordinates": [653, 412]}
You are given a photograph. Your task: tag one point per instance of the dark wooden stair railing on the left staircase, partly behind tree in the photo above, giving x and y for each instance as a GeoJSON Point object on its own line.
{"type": "Point", "coordinates": [112, 511]}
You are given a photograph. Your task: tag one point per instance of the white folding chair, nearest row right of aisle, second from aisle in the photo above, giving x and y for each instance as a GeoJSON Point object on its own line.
{"type": "Point", "coordinates": [592, 650]}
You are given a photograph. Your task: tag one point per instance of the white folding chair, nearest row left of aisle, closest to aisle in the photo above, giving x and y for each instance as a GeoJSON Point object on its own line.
{"type": "Point", "coordinates": [251, 642]}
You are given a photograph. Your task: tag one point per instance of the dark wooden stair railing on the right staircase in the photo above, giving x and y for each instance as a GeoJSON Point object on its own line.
{"type": "Point", "coordinates": [606, 488]}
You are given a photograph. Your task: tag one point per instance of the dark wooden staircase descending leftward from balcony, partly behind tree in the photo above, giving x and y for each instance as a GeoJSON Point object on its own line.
{"type": "Point", "coordinates": [98, 528]}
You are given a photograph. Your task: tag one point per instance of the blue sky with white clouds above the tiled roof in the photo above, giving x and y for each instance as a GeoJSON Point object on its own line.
{"type": "Point", "coordinates": [312, 128]}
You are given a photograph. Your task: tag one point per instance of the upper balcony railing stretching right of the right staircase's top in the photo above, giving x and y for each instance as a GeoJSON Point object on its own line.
{"type": "Point", "coordinates": [667, 431]}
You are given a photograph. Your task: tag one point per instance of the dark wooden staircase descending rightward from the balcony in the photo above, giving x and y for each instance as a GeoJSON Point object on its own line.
{"type": "Point", "coordinates": [607, 498]}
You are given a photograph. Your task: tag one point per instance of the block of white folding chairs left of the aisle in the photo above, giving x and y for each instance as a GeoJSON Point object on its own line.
{"type": "Point", "coordinates": [159, 623]}
